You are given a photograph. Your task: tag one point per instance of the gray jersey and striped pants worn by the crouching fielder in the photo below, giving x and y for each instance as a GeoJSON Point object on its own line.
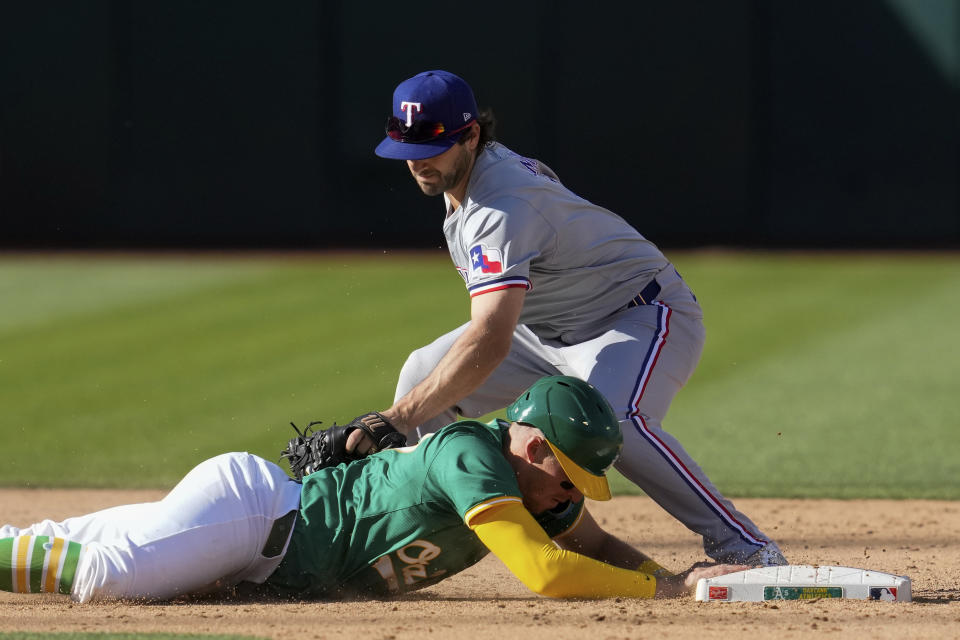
{"type": "Point", "coordinates": [602, 304]}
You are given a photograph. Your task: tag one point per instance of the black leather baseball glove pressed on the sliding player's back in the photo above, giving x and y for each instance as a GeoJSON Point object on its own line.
{"type": "Point", "coordinates": [314, 450]}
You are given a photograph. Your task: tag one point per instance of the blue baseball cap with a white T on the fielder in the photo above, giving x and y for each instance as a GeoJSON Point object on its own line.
{"type": "Point", "coordinates": [431, 111]}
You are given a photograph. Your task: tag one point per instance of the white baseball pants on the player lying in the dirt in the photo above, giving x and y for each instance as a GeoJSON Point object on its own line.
{"type": "Point", "coordinates": [208, 533]}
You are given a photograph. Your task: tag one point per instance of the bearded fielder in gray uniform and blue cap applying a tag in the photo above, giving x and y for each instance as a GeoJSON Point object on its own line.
{"type": "Point", "coordinates": [558, 285]}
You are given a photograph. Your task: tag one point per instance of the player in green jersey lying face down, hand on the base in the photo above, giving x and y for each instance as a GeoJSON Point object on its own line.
{"type": "Point", "coordinates": [392, 522]}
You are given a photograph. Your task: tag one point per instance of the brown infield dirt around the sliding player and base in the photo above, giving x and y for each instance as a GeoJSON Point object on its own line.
{"type": "Point", "coordinates": [915, 538]}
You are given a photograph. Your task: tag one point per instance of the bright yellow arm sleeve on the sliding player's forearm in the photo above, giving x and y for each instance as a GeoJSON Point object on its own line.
{"type": "Point", "coordinates": [511, 533]}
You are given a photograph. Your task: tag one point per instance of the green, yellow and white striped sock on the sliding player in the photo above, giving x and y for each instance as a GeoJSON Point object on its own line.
{"type": "Point", "coordinates": [38, 564]}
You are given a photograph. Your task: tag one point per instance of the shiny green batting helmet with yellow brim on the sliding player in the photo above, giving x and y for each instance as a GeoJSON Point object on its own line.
{"type": "Point", "coordinates": [579, 426]}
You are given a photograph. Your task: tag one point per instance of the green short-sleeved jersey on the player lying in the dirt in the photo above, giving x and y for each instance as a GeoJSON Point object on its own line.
{"type": "Point", "coordinates": [397, 520]}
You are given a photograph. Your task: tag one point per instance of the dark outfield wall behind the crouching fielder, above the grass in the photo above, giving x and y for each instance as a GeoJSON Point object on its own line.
{"type": "Point", "coordinates": [743, 122]}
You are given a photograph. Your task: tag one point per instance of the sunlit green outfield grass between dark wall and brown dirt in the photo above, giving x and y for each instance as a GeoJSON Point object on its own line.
{"type": "Point", "coordinates": [825, 375]}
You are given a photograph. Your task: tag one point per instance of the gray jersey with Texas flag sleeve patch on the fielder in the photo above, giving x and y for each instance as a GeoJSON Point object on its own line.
{"type": "Point", "coordinates": [579, 262]}
